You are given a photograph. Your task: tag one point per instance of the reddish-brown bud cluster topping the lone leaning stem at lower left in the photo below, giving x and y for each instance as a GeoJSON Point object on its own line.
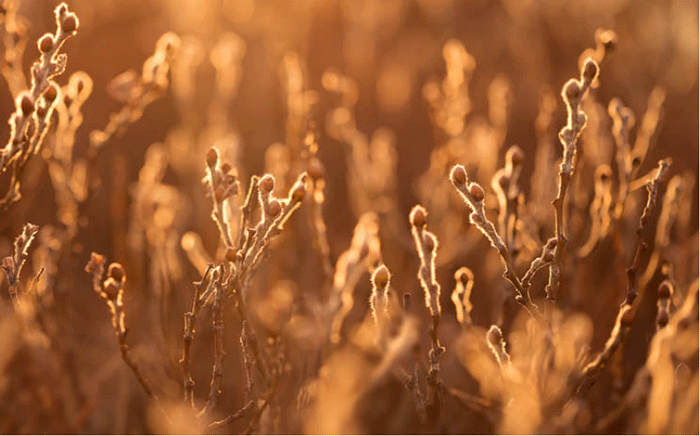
{"type": "Point", "coordinates": [111, 289]}
